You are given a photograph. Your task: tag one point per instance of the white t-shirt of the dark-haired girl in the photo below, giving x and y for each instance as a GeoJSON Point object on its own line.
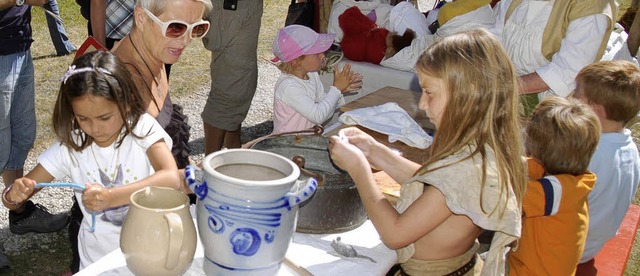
{"type": "Point", "coordinates": [84, 168]}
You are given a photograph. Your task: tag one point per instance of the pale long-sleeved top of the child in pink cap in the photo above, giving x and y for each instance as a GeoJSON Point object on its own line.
{"type": "Point", "coordinates": [300, 104]}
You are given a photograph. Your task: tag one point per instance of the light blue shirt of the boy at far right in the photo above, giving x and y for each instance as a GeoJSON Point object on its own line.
{"type": "Point", "coordinates": [617, 167]}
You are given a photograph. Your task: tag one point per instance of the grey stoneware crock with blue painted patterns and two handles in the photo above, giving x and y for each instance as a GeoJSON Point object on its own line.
{"type": "Point", "coordinates": [247, 208]}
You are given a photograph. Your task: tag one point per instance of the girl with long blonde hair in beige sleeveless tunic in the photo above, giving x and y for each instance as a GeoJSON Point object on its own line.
{"type": "Point", "coordinates": [473, 175]}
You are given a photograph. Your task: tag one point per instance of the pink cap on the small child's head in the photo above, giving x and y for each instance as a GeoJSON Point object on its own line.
{"type": "Point", "coordinates": [294, 41]}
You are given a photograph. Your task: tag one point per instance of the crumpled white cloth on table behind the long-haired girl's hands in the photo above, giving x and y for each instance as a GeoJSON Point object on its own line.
{"type": "Point", "coordinates": [392, 120]}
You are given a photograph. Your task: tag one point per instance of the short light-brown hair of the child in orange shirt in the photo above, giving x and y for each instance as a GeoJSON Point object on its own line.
{"type": "Point", "coordinates": [562, 133]}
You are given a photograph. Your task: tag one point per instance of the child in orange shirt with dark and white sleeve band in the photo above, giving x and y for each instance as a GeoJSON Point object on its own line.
{"type": "Point", "coordinates": [560, 138]}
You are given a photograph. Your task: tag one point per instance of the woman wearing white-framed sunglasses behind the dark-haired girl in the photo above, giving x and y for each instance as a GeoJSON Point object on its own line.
{"type": "Point", "coordinates": [162, 29]}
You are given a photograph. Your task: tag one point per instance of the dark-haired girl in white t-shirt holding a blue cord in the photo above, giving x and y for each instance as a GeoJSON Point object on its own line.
{"type": "Point", "coordinates": [106, 141]}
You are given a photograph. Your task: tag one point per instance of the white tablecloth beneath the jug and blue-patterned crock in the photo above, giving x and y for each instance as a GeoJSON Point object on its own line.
{"type": "Point", "coordinates": [311, 251]}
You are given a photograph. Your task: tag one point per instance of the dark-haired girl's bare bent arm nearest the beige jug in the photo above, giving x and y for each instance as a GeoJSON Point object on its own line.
{"type": "Point", "coordinates": [97, 198]}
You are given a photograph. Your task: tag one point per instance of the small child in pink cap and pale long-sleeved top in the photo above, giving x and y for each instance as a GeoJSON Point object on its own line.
{"type": "Point", "coordinates": [300, 100]}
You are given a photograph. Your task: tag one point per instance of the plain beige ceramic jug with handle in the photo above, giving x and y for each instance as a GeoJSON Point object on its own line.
{"type": "Point", "coordinates": [158, 235]}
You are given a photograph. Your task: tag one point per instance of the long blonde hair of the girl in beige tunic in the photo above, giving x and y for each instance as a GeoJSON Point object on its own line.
{"type": "Point", "coordinates": [482, 106]}
